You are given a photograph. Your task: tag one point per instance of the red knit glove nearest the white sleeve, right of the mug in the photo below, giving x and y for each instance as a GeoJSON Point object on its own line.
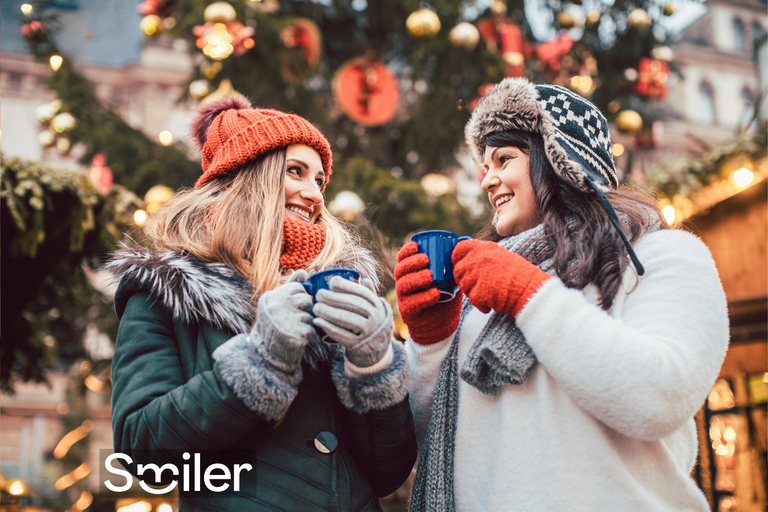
{"type": "Point", "coordinates": [494, 278]}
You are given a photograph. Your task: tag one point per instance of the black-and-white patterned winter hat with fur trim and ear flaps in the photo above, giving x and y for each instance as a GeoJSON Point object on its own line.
{"type": "Point", "coordinates": [575, 133]}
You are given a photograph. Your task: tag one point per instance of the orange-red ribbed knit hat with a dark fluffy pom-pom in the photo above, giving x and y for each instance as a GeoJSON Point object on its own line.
{"type": "Point", "coordinates": [230, 134]}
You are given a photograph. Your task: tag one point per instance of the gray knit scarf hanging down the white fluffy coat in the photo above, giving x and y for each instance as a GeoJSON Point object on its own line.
{"type": "Point", "coordinates": [499, 356]}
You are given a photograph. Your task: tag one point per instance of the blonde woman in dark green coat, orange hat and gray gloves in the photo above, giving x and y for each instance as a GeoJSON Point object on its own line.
{"type": "Point", "coordinates": [217, 352]}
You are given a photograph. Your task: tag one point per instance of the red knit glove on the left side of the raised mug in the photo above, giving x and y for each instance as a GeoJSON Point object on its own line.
{"type": "Point", "coordinates": [428, 321]}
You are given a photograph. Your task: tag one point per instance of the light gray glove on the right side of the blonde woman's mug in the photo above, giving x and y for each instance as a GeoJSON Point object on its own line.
{"type": "Point", "coordinates": [352, 315]}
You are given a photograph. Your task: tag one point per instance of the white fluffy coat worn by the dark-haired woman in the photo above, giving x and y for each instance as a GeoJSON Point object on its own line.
{"type": "Point", "coordinates": [605, 419]}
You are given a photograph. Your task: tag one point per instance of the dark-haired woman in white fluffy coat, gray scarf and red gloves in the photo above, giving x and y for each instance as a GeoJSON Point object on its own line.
{"type": "Point", "coordinates": [567, 372]}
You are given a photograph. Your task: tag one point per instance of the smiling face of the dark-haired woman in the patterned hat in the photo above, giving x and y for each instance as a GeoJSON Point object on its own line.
{"type": "Point", "coordinates": [507, 180]}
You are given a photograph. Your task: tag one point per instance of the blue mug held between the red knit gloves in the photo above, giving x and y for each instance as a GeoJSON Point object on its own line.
{"type": "Point", "coordinates": [438, 245]}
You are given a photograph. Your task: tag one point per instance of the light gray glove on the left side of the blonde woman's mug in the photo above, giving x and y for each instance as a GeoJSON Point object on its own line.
{"type": "Point", "coordinates": [284, 323]}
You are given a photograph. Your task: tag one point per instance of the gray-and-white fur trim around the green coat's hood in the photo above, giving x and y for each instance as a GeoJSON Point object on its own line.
{"type": "Point", "coordinates": [195, 291]}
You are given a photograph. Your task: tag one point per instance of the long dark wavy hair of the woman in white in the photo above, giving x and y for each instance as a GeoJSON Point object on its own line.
{"type": "Point", "coordinates": [583, 244]}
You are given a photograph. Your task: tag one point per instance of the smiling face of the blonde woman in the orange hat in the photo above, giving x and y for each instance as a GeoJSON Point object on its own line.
{"type": "Point", "coordinates": [304, 178]}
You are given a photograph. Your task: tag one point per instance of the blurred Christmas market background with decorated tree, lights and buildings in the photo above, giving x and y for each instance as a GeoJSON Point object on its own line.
{"type": "Point", "coordinates": [97, 96]}
